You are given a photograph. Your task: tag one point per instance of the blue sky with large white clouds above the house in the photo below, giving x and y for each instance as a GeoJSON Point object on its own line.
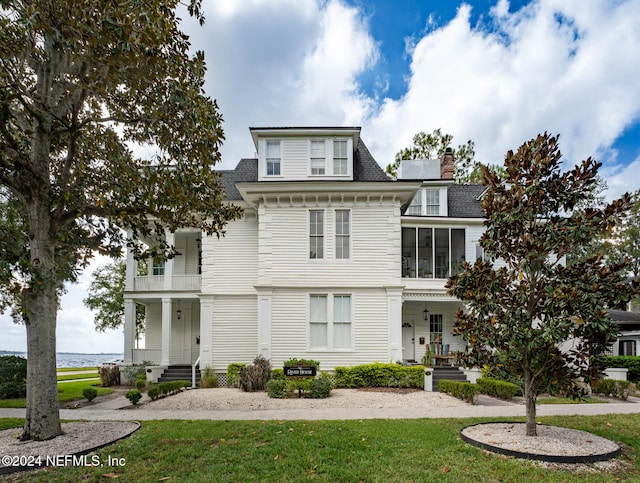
{"type": "Point", "coordinates": [491, 71]}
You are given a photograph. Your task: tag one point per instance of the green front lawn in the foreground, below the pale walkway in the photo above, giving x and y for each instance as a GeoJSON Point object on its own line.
{"type": "Point", "coordinates": [422, 450]}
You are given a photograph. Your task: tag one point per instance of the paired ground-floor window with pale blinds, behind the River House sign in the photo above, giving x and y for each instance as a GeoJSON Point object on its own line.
{"type": "Point", "coordinates": [329, 321]}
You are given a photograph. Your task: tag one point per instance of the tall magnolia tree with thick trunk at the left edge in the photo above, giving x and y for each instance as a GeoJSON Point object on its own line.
{"type": "Point", "coordinates": [81, 83]}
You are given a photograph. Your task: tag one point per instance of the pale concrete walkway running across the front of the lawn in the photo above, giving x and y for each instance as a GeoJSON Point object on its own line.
{"type": "Point", "coordinates": [119, 409]}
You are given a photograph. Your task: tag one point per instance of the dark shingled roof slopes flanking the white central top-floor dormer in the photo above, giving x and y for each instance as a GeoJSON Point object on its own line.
{"type": "Point", "coordinates": [365, 168]}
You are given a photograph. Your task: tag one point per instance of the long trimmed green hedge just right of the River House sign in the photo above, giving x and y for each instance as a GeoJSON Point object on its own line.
{"type": "Point", "coordinates": [379, 375]}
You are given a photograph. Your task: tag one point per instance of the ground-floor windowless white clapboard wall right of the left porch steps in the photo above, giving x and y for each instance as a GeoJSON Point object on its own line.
{"type": "Point", "coordinates": [235, 331]}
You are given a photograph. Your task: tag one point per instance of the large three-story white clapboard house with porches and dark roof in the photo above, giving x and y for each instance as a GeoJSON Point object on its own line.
{"type": "Point", "coordinates": [332, 261]}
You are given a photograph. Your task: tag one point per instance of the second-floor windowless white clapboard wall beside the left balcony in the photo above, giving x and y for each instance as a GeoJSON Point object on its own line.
{"type": "Point", "coordinates": [229, 263]}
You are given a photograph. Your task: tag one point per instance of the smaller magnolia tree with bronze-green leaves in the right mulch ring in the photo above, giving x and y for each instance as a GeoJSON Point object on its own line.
{"type": "Point", "coordinates": [537, 316]}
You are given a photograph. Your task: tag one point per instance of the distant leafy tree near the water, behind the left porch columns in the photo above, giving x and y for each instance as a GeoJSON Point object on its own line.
{"type": "Point", "coordinates": [105, 297]}
